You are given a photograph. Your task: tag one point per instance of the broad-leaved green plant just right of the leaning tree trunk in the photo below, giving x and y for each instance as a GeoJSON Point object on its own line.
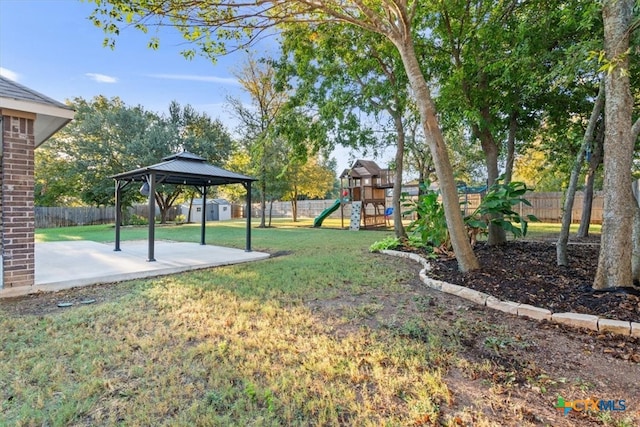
{"type": "Point", "coordinates": [497, 208]}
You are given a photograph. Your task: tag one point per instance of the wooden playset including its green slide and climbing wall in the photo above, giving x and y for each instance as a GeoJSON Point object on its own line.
{"type": "Point", "coordinates": [364, 185]}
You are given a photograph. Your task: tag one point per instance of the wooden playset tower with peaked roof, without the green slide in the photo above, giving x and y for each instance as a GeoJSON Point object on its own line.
{"type": "Point", "coordinates": [365, 183]}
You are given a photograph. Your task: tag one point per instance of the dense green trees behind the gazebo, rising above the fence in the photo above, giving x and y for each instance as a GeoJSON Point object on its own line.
{"type": "Point", "coordinates": [108, 137]}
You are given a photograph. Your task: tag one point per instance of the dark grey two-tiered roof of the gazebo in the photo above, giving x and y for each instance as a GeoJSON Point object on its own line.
{"type": "Point", "coordinates": [187, 169]}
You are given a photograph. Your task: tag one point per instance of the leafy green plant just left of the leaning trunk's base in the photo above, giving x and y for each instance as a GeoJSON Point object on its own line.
{"type": "Point", "coordinates": [430, 225]}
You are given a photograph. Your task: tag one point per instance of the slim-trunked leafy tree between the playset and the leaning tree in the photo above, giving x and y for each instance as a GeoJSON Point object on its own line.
{"type": "Point", "coordinates": [344, 73]}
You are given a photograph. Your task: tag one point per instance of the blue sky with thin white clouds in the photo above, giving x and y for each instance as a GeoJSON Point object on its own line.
{"type": "Point", "coordinates": [51, 46]}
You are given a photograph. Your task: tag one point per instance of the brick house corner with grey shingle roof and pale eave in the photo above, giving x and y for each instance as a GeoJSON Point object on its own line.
{"type": "Point", "coordinates": [27, 119]}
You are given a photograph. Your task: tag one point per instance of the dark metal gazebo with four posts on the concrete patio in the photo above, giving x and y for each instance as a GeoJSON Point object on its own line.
{"type": "Point", "coordinates": [181, 169]}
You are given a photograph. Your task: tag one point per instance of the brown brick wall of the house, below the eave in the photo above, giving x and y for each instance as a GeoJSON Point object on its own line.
{"type": "Point", "coordinates": [16, 205]}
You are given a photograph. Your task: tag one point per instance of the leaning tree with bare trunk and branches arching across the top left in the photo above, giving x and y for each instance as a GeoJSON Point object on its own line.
{"type": "Point", "coordinates": [209, 27]}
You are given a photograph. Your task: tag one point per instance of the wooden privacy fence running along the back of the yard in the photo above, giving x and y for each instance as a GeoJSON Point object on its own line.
{"type": "Point", "coordinates": [547, 207]}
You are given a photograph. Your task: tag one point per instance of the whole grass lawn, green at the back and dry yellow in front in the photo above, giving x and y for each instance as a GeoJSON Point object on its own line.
{"type": "Point", "coordinates": [234, 346]}
